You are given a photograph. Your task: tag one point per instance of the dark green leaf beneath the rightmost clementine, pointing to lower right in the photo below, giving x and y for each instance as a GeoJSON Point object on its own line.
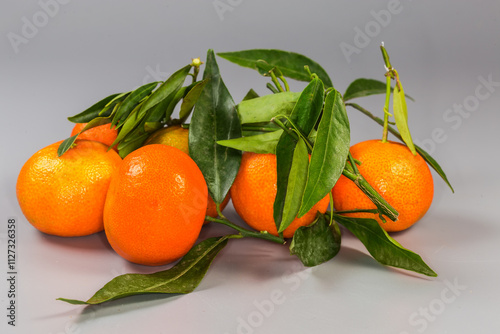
{"type": "Point", "coordinates": [382, 247]}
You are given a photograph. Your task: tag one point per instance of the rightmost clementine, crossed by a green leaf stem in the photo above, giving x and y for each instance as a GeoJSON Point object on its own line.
{"type": "Point", "coordinates": [403, 179]}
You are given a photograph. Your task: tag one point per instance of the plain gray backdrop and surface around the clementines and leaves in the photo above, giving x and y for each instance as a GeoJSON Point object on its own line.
{"type": "Point", "coordinates": [86, 50]}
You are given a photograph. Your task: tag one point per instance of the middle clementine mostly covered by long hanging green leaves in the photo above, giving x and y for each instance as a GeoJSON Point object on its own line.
{"type": "Point", "coordinates": [254, 190]}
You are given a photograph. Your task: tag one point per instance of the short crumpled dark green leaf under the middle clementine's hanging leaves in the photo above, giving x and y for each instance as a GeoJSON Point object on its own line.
{"type": "Point", "coordinates": [316, 243]}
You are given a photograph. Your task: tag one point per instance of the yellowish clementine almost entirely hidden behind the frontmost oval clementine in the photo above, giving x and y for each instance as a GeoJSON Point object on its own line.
{"type": "Point", "coordinates": [178, 137]}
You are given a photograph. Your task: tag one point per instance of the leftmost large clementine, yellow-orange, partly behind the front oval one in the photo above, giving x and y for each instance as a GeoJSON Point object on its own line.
{"type": "Point", "coordinates": [65, 195]}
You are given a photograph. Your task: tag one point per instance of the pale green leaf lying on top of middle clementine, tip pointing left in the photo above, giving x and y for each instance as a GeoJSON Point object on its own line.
{"type": "Point", "coordinates": [261, 143]}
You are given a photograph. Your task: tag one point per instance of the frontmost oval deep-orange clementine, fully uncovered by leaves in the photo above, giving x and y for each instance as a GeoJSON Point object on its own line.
{"type": "Point", "coordinates": [155, 206]}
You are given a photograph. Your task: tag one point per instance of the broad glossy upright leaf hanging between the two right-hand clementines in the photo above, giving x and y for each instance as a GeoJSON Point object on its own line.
{"type": "Point", "coordinates": [329, 153]}
